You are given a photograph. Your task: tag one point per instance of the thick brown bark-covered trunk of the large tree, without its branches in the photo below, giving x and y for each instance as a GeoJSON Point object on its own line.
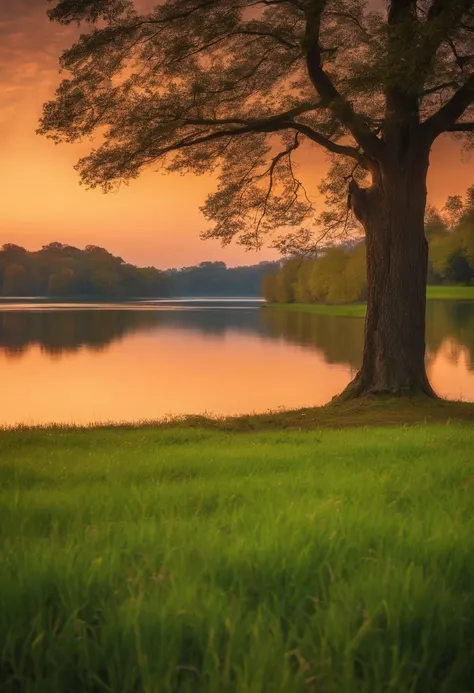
{"type": "Point", "coordinates": [392, 213]}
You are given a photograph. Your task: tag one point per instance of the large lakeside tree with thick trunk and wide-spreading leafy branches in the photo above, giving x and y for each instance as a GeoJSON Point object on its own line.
{"type": "Point", "coordinates": [236, 86]}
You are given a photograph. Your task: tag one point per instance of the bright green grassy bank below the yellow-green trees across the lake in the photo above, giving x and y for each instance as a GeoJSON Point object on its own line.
{"type": "Point", "coordinates": [358, 309]}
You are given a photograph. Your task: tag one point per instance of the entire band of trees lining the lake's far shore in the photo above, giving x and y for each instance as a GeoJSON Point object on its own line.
{"type": "Point", "coordinates": [335, 274]}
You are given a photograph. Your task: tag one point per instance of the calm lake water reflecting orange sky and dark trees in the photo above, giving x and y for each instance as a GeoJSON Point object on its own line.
{"type": "Point", "coordinates": [144, 360]}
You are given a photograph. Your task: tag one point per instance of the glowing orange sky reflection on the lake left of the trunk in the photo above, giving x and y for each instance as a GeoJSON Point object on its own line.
{"type": "Point", "coordinates": [150, 376]}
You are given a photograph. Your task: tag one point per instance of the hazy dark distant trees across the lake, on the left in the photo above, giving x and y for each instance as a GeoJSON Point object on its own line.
{"type": "Point", "coordinates": [60, 270]}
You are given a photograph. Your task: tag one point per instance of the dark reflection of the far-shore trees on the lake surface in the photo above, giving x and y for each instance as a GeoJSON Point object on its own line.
{"type": "Point", "coordinates": [65, 330]}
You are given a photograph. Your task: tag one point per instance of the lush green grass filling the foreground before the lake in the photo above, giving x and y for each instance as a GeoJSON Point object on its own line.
{"type": "Point", "coordinates": [198, 561]}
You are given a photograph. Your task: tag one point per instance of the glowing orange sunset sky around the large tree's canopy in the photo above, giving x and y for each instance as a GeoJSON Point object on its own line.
{"type": "Point", "coordinates": [154, 221]}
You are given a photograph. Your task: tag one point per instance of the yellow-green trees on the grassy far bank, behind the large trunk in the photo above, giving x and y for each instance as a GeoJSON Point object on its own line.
{"type": "Point", "coordinates": [338, 274]}
